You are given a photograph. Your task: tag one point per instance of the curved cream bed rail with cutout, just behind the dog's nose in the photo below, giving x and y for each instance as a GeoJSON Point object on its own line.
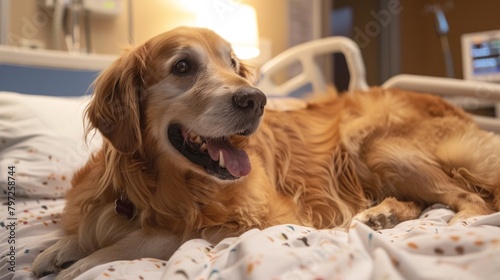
{"type": "Point", "coordinates": [306, 55]}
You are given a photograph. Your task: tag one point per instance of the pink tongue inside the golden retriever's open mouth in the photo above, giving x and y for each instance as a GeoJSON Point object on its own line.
{"type": "Point", "coordinates": [236, 160]}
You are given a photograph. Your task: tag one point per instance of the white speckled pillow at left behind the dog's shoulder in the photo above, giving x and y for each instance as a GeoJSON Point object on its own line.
{"type": "Point", "coordinates": [42, 141]}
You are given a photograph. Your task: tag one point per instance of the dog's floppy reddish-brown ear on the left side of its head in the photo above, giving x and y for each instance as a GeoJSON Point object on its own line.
{"type": "Point", "coordinates": [115, 106]}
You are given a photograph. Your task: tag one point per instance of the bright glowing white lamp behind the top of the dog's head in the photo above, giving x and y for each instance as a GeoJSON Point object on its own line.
{"type": "Point", "coordinates": [235, 22]}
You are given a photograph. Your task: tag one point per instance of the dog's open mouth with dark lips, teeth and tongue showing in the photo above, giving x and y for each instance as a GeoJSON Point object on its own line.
{"type": "Point", "coordinates": [217, 156]}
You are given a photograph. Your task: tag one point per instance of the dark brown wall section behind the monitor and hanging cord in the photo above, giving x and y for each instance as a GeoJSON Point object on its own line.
{"type": "Point", "coordinates": [421, 47]}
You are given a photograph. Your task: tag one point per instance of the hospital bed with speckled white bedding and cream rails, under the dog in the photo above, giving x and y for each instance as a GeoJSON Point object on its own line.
{"type": "Point", "coordinates": [41, 142]}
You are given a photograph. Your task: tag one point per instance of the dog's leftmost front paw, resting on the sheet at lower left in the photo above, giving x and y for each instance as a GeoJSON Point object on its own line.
{"type": "Point", "coordinates": [57, 257]}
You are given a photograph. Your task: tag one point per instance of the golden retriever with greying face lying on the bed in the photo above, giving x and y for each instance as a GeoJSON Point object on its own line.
{"type": "Point", "coordinates": [191, 152]}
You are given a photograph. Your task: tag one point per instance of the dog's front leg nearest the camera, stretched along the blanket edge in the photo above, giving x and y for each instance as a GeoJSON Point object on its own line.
{"type": "Point", "coordinates": [137, 244]}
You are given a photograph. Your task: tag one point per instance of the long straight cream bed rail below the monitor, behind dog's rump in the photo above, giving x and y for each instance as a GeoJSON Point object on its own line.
{"type": "Point", "coordinates": [475, 92]}
